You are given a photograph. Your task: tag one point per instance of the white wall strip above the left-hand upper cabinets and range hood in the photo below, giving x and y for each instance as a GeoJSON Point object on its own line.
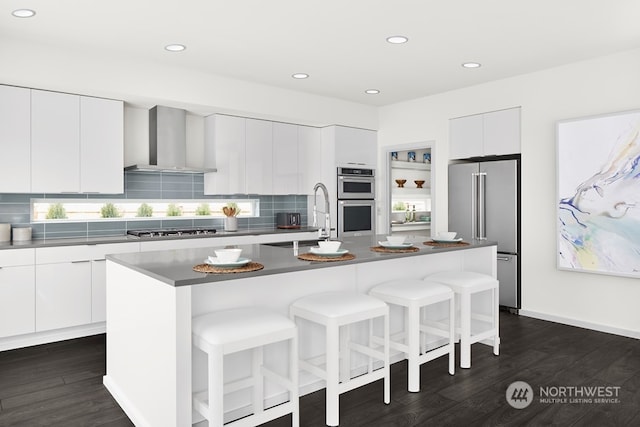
{"type": "Point", "coordinates": [147, 84]}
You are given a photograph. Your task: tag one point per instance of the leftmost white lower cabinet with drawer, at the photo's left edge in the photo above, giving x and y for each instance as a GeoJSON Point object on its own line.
{"type": "Point", "coordinates": [17, 292]}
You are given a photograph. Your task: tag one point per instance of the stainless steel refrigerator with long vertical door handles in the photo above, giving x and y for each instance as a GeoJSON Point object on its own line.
{"type": "Point", "coordinates": [484, 203]}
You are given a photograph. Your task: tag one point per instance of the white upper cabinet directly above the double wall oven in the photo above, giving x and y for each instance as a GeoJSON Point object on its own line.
{"type": "Point", "coordinates": [354, 147]}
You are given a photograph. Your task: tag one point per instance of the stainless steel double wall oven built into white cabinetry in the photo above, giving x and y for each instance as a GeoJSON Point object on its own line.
{"type": "Point", "coordinates": [356, 202]}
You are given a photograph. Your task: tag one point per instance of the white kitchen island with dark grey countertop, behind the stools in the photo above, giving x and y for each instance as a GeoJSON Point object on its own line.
{"type": "Point", "coordinates": [152, 297]}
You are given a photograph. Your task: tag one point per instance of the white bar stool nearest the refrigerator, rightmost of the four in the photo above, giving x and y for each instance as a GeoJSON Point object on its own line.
{"type": "Point", "coordinates": [473, 327]}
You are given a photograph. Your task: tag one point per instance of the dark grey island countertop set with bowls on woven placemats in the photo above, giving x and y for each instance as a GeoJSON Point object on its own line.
{"type": "Point", "coordinates": [176, 267]}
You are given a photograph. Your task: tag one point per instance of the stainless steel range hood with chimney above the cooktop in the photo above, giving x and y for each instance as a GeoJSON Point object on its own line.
{"type": "Point", "coordinates": [167, 142]}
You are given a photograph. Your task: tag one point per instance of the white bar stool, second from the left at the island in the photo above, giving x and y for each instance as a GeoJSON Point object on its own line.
{"type": "Point", "coordinates": [341, 309]}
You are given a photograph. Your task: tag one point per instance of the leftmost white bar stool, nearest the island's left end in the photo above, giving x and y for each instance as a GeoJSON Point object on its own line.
{"type": "Point", "coordinates": [230, 331]}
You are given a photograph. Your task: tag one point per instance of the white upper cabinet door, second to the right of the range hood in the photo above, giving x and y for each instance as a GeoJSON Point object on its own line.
{"type": "Point", "coordinates": [259, 157]}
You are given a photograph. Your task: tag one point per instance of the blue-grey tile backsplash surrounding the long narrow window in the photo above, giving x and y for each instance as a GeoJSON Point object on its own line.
{"type": "Point", "coordinates": [16, 208]}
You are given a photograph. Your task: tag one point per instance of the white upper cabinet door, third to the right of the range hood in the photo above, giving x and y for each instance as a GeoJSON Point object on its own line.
{"type": "Point", "coordinates": [285, 158]}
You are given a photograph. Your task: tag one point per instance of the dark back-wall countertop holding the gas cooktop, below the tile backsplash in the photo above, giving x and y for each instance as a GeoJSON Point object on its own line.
{"type": "Point", "coordinates": [44, 243]}
